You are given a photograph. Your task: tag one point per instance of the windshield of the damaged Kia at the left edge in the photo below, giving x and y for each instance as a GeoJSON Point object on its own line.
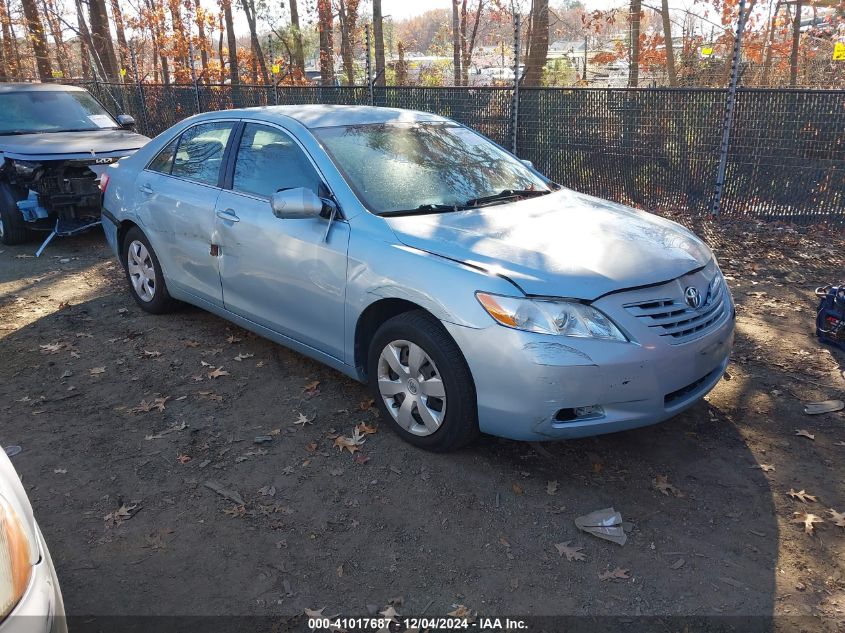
{"type": "Point", "coordinates": [34, 111]}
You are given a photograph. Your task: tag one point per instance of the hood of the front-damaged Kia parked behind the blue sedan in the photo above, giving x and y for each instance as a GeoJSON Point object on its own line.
{"type": "Point", "coordinates": [71, 145]}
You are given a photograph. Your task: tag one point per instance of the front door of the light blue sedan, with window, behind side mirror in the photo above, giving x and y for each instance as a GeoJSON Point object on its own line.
{"type": "Point", "coordinates": [281, 274]}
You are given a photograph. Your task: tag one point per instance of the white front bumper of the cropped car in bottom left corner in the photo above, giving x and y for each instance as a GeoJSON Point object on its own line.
{"type": "Point", "coordinates": [41, 609]}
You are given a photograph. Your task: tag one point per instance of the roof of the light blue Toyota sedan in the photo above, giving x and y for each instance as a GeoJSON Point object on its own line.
{"type": "Point", "coordinates": [316, 116]}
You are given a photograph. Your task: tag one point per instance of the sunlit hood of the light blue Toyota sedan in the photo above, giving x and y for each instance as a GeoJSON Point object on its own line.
{"type": "Point", "coordinates": [563, 244]}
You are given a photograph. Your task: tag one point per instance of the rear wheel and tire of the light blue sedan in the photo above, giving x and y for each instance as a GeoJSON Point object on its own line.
{"type": "Point", "coordinates": [143, 273]}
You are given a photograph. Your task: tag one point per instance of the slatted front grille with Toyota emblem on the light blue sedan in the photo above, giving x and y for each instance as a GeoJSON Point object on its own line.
{"type": "Point", "coordinates": [673, 319]}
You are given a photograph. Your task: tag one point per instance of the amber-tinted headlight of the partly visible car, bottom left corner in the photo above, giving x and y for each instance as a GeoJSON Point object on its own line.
{"type": "Point", "coordinates": [15, 568]}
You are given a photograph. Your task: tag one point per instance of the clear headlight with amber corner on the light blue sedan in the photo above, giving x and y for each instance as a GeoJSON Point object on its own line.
{"type": "Point", "coordinates": [567, 318]}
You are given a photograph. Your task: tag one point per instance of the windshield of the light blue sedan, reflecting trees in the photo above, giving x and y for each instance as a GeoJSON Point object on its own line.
{"type": "Point", "coordinates": [398, 168]}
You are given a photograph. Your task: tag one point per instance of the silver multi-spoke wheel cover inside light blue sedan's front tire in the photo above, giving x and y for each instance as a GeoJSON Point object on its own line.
{"type": "Point", "coordinates": [412, 388]}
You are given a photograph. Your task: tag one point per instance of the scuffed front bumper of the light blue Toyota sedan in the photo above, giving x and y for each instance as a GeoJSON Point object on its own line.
{"type": "Point", "coordinates": [524, 381]}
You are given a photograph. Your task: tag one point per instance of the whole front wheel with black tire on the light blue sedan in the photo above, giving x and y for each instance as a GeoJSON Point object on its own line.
{"type": "Point", "coordinates": [429, 422]}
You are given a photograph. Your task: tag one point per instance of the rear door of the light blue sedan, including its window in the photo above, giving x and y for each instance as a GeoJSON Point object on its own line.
{"type": "Point", "coordinates": [177, 195]}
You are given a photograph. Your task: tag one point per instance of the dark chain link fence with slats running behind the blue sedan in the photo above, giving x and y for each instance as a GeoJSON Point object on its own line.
{"type": "Point", "coordinates": [654, 148]}
